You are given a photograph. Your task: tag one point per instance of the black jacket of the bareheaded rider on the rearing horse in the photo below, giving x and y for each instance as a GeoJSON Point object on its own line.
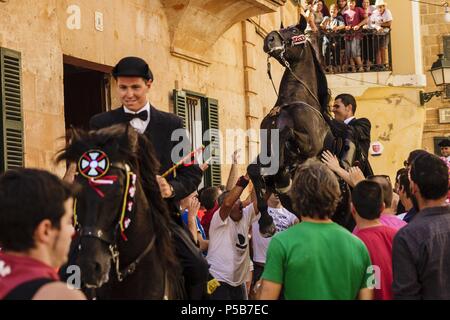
{"type": "Point", "coordinates": [361, 134]}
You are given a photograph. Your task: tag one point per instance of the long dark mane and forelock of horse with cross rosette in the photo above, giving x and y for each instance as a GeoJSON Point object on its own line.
{"type": "Point", "coordinates": [122, 143]}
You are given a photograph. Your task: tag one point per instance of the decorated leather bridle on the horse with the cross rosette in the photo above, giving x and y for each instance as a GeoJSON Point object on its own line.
{"type": "Point", "coordinates": [112, 238]}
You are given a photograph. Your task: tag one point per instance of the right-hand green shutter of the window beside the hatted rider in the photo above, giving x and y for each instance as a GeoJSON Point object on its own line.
{"type": "Point", "coordinates": [210, 121]}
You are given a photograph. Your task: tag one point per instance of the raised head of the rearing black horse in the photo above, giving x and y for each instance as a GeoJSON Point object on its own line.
{"type": "Point", "coordinates": [287, 44]}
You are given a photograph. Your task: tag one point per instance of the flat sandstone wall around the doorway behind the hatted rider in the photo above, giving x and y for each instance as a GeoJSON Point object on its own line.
{"type": "Point", "coordinates": [44, 31]}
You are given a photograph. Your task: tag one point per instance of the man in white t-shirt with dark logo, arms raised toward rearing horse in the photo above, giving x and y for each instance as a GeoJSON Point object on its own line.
{"type": "Point", "coordinates": [228, 251]}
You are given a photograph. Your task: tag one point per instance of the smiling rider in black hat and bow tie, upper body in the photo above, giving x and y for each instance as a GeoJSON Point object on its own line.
{"type": "Point", "coordinates": [134, 80]}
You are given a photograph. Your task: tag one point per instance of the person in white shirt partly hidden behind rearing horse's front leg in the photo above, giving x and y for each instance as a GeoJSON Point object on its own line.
{"type": "Point", "coordinates": [282, 219]}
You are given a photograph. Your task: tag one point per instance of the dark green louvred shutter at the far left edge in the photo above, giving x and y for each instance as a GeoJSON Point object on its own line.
{"type": "Point", "coordinates": [11, 119]}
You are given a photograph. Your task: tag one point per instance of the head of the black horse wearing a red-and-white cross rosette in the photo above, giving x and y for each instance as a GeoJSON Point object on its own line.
{"type": "Point", "coordinates": [104, 159]}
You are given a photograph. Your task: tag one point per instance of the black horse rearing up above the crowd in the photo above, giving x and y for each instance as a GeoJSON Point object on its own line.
{"type": "Point", "coordinates": [302, 117]}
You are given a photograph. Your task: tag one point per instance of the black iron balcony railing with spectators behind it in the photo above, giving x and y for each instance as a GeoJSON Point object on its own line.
{"type": "Point", "coordinates": [365, 50]}
